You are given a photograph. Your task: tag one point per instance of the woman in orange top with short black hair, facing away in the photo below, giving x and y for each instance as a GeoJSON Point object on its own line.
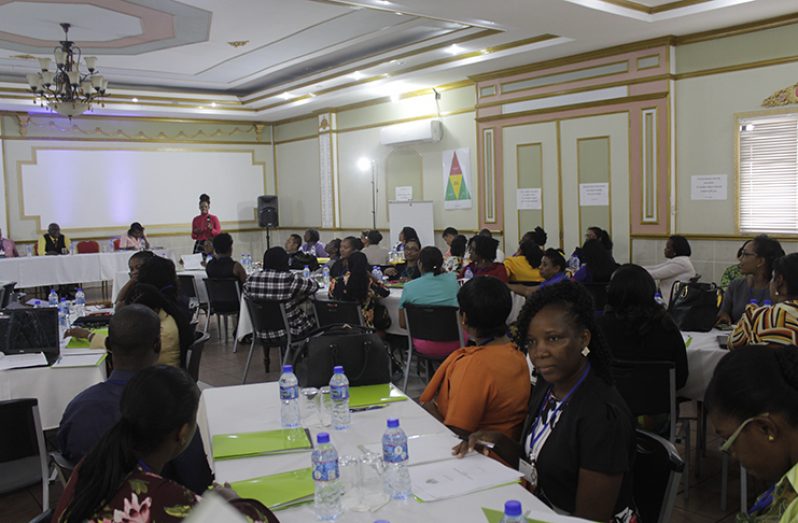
{"type": "Point", "coordinates": [484, 386]}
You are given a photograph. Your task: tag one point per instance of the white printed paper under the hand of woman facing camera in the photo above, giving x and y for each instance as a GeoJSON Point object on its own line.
{"type": "Point", "coordinates": [457, 477]}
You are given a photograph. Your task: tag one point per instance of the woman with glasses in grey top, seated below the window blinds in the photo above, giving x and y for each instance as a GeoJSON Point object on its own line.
{"type": "Point", "coordinates": [756, 264]}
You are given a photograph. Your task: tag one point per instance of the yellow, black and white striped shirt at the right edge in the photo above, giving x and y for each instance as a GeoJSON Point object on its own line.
{"type": "Point", "coordinates": [772, 324]}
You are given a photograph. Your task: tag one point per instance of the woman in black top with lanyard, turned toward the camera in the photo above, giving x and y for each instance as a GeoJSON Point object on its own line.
{"type": "Point", "coordinates": [578, 442]}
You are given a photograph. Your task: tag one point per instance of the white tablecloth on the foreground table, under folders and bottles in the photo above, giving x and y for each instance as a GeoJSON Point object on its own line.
{"type": "Point", "coordinates": [246, 408]}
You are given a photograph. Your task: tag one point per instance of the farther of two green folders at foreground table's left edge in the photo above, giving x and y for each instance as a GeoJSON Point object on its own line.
{"type": "Point", "coordinates": [257, 443]}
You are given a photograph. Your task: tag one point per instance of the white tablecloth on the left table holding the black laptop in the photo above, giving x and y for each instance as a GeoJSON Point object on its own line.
{"type": "Point", "coordinates": [54, 388]}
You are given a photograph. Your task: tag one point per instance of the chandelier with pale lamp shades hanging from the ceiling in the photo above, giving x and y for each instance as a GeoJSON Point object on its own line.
{"type": "Point", "coordinates": [66, 90]}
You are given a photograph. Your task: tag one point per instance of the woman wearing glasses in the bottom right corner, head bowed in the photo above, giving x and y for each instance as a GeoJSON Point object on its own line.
{"type": "Point", "coordinates": [751, 402]}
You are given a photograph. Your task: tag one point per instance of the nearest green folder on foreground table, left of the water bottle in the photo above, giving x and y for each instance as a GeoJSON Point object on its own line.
{"type": "Point", "coordinates": [278, 490]}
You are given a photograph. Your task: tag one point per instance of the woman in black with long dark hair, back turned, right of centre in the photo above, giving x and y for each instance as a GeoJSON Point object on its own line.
{"type": "Point", "coordinates": [637, 327]}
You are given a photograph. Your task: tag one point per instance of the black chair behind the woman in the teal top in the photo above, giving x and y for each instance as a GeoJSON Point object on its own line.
{"type": "Point", "coordinates": [433, 324]}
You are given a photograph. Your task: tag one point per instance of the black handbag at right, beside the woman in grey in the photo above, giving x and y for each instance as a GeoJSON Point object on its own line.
{"type": "Point", "coordinates": [694, 306]}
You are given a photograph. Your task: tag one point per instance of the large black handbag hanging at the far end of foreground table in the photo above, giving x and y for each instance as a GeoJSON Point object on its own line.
{"type": "Point", "coordinates": [363, 355]}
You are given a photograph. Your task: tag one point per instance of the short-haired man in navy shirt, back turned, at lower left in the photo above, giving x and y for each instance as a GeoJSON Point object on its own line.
{"type": "Point", "coordinates": [134, 341]}
